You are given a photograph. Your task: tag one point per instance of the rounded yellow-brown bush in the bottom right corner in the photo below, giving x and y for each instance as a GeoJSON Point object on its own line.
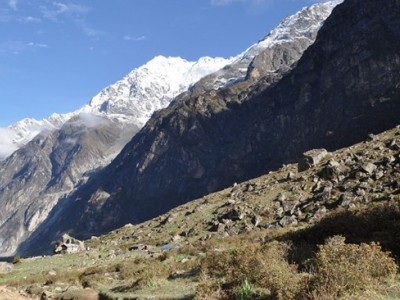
{"type": "Point", "coordinates": [347, 268]}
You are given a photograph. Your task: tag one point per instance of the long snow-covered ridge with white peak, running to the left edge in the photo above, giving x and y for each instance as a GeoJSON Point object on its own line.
{"type": "Point", "coordinates": [132, 99]}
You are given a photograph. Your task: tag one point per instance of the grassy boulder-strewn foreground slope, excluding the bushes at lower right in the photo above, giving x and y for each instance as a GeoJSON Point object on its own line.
{"type": "Point", "coordinates": [352, 192]}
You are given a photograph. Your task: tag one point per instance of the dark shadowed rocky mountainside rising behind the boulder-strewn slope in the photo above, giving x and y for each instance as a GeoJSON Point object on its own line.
{"type": "Point", "coordinates": [345, 86]}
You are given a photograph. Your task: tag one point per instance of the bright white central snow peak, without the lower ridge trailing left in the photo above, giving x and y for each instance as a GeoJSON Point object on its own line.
{"type": "Point", "coordinates": [151, 87]}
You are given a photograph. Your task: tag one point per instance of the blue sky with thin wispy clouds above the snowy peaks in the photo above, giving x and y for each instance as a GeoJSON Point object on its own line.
{"type": "Point", "coordinates": [56, 55]}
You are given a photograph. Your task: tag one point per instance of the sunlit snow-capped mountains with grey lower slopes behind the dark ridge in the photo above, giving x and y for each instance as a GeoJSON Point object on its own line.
{"type": "Point", "coordinates": [100, 129]}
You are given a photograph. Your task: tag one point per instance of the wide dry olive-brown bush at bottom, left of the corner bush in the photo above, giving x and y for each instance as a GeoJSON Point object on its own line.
{"type": "Point", "coordinates": [264, 266]}
